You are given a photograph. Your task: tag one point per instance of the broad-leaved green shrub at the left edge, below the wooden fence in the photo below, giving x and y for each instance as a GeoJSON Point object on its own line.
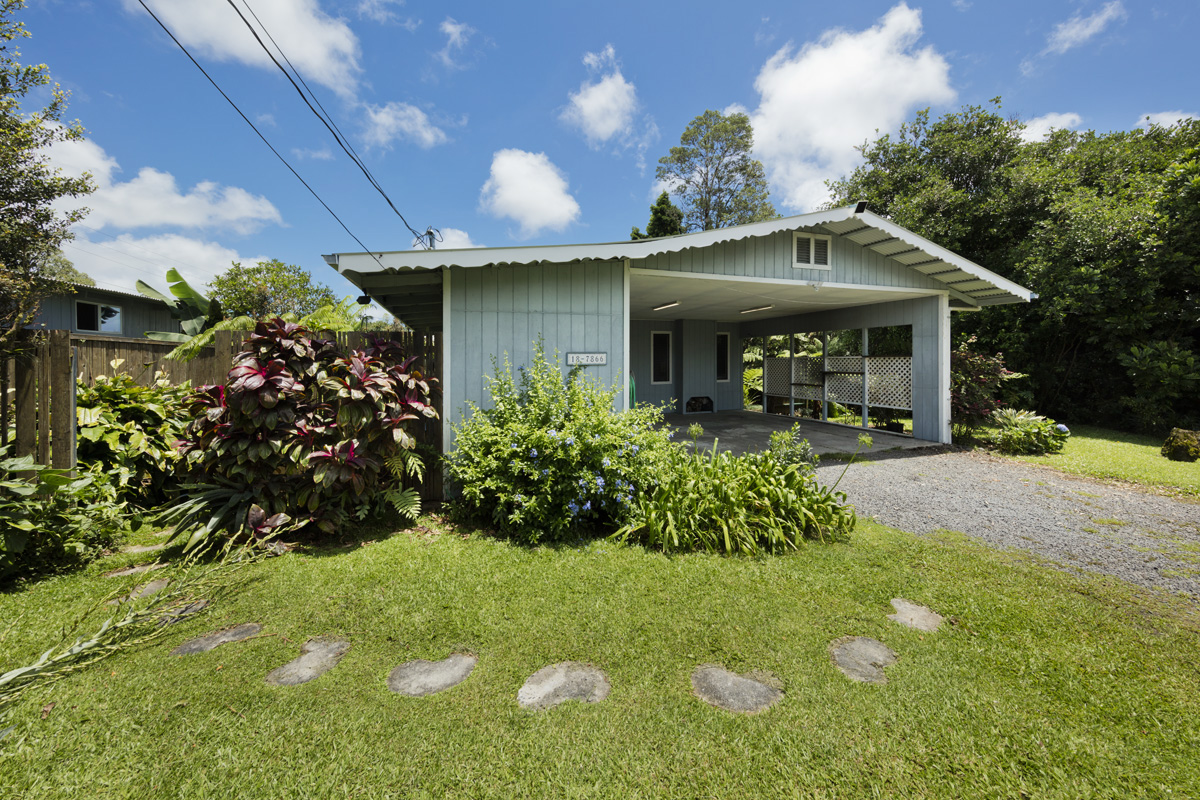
{"type": "Point", "coordinates": [50, 520]}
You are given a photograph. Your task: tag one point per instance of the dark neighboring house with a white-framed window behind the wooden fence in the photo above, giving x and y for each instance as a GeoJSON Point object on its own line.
{"type": "Point", "coordinates": [105, 312]}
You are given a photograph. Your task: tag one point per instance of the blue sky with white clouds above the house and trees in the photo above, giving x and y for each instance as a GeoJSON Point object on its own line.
{"type": "Point", "coordinates": [538, 123]}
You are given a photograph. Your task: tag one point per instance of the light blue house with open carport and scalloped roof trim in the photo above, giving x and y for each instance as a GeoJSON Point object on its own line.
{"type": "Point", "coordinates": [671, 312]}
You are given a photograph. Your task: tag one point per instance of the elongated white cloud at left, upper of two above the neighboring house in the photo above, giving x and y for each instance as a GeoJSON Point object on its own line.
{"type": "Point", "coordinates": [153, 199]}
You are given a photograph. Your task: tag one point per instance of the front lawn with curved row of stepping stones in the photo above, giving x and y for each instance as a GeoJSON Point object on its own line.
{"type": "Point", "coordinates": [1046, 685]}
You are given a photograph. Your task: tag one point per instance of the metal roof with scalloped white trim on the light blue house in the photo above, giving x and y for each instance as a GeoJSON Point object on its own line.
{"type": "Point", "coordinates": [968, 281]}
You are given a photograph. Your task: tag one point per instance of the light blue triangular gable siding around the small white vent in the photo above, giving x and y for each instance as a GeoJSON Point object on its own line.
{"type": "Point", "coordinates": [771, 257]}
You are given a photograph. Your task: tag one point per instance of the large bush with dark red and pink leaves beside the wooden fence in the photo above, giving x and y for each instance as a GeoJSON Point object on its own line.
{"type": "Point", "coordinates": [302, 434]}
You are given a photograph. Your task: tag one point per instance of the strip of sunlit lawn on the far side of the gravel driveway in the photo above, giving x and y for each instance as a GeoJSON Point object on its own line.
{"type": "Point", "coordinates": [1106, 454]}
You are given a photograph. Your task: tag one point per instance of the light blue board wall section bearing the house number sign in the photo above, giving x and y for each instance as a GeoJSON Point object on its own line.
{"type": "Point", "coordinates": [572, 308]}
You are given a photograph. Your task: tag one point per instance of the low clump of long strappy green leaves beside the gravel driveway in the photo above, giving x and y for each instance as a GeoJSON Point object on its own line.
{"type": "Point", "coordinates": [749, 504]}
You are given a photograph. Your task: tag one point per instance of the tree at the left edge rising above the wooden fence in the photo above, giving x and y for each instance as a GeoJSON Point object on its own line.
{"type": "Point", "coordinates": [32, 230]}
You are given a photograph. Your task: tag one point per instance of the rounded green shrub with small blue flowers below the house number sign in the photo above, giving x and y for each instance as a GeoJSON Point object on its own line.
{"type": "Point", "coordinates": [551, 460]}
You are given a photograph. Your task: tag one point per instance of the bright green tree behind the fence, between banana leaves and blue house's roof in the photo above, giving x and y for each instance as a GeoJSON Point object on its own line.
{"type": "Point", "coordinates": [269, 290]}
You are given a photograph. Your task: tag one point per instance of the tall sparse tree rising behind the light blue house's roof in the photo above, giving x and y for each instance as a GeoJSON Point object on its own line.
{"type": "Point", "coordinates": [713, 175]}
